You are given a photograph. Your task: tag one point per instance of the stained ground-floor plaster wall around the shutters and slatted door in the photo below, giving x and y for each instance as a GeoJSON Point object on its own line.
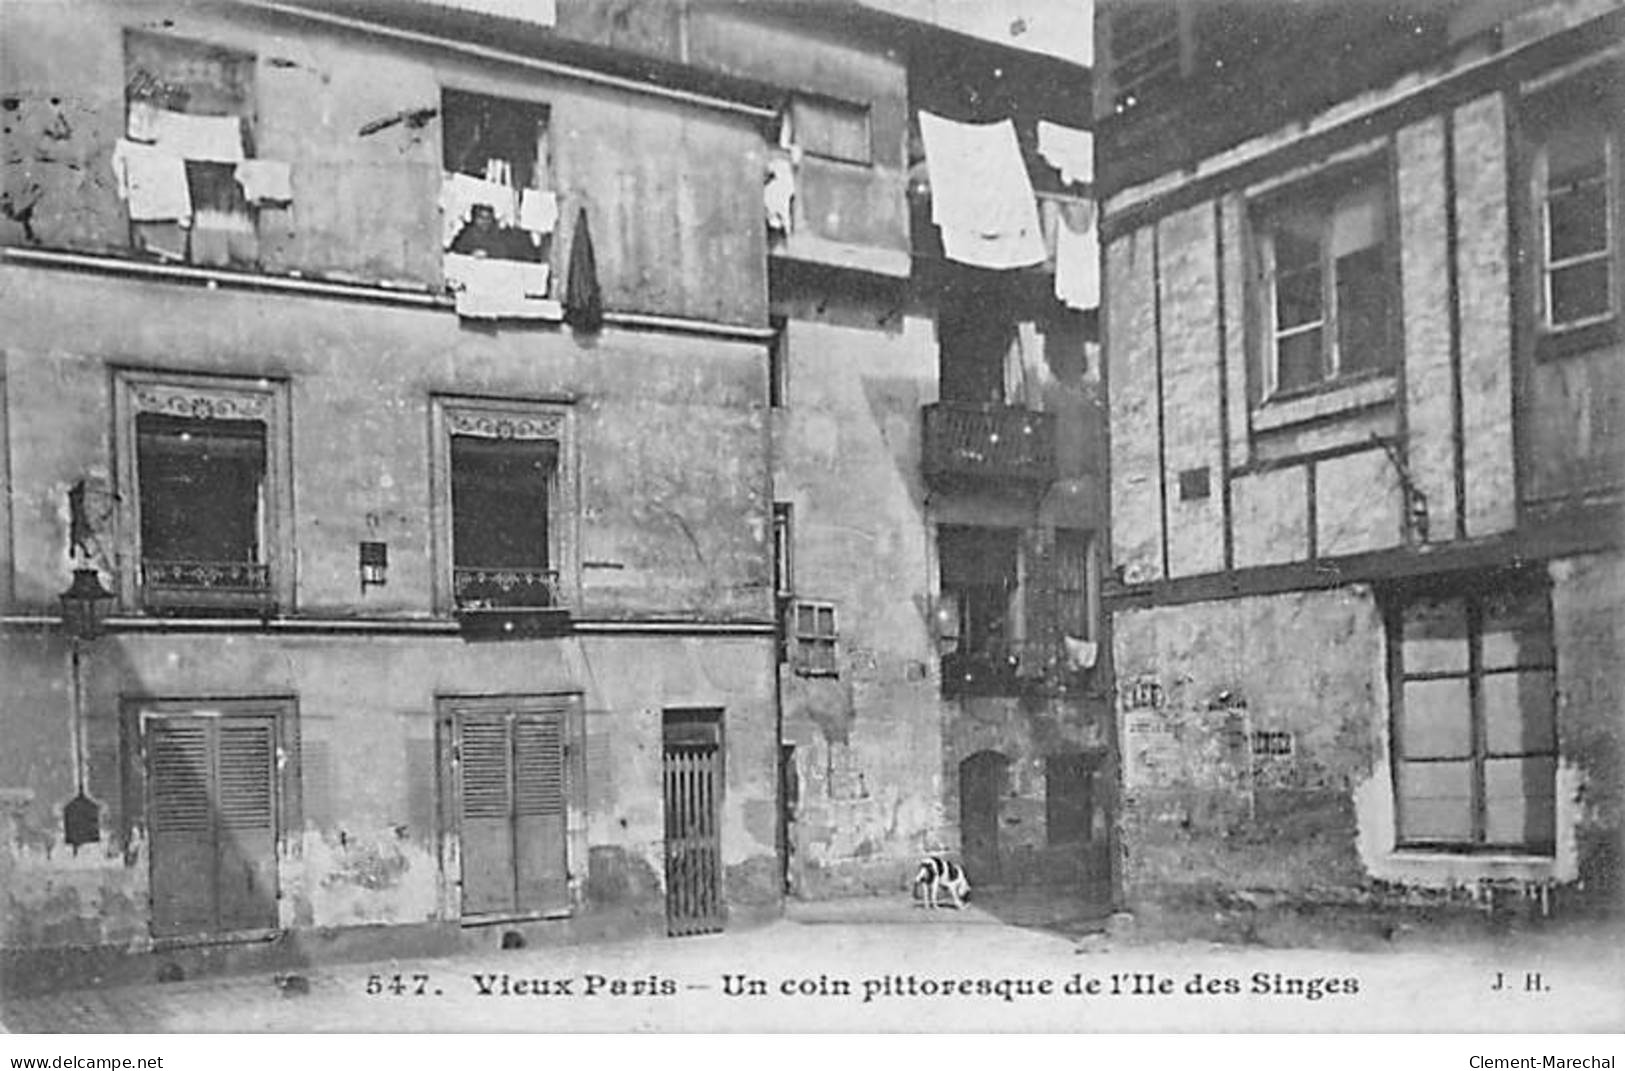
{"type": "Point", "coordinates": [375, 846]}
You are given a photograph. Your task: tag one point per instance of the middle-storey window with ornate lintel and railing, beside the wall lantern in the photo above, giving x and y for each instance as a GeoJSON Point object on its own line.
{"type": "Point", "coordinates": [210, 487]}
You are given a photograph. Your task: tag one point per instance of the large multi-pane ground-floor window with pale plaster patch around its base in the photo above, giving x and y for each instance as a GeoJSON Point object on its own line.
{"type": "Point", "coordinates": [1475, 718]}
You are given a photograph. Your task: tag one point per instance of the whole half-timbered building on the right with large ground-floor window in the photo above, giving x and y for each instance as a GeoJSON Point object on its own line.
{"type": "Point", "coordinates": [1363, 308]}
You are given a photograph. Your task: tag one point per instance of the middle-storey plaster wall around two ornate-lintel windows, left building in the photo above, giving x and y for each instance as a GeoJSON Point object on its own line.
{"type": "Point", "coordinates": [672, 444]}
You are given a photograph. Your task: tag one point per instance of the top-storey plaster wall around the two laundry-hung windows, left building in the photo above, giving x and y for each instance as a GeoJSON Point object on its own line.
{"type": "Point", "coordinates": [677, 223]}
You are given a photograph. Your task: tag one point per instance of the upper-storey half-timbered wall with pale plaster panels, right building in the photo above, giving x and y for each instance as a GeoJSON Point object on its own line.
{"type": "Point", "coordinates": [1312, 482]}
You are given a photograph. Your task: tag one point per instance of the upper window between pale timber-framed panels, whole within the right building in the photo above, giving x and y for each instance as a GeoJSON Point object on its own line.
{"type": "Point", "coordinates": [1328, 287]}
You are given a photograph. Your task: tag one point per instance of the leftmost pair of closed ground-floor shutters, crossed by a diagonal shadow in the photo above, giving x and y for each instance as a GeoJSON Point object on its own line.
{"type": "Point", "coordinates": [212, 815]}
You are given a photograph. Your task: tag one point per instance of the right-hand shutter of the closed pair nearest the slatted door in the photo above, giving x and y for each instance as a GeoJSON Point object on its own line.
{"type": "Point", "coordinates": [539, 812]}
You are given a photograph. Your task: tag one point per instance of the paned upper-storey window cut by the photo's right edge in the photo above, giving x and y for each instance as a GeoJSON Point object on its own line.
{"type": "Point", "coordinates": [1575, 134]}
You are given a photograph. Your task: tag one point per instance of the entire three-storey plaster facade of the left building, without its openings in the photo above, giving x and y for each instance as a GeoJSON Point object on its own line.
{"type": "Point", "coordinates": [670, 480]}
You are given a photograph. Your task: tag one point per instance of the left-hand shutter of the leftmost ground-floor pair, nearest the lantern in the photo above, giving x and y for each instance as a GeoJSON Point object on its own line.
{"type": "Point", "coordinates": [181, 826]}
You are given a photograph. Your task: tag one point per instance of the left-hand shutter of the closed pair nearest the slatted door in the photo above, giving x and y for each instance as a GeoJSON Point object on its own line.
{"type": "Point", "coordinates": [487, 813]}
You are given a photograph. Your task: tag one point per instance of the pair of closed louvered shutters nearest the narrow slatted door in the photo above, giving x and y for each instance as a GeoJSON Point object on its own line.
{"type": "Point", "coordinates": [513, 810]}
